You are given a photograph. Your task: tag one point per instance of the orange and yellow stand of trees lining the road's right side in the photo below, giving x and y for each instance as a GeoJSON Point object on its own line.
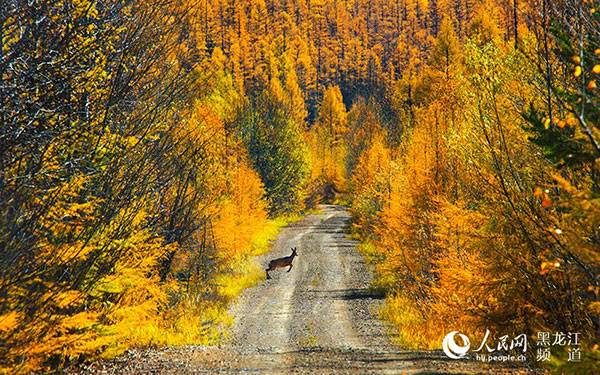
{"type": "Point", "coordinates": [489, 219]}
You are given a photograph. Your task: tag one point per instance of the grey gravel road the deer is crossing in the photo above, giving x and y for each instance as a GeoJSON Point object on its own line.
{"type": "Point", "coordinates": [320, 318]}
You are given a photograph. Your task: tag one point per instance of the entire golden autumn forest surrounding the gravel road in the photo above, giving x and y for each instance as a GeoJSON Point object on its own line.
{"type": "Point", "coordinates": [149, 149]}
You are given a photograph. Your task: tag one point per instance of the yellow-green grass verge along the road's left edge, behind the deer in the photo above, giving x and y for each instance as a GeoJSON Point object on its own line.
{"type": "Point", "coordinates": [197, 315]}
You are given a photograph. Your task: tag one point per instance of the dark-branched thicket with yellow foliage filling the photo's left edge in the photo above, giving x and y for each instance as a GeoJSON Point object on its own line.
{"type": "Point", "coordinates": [86, 90]}
